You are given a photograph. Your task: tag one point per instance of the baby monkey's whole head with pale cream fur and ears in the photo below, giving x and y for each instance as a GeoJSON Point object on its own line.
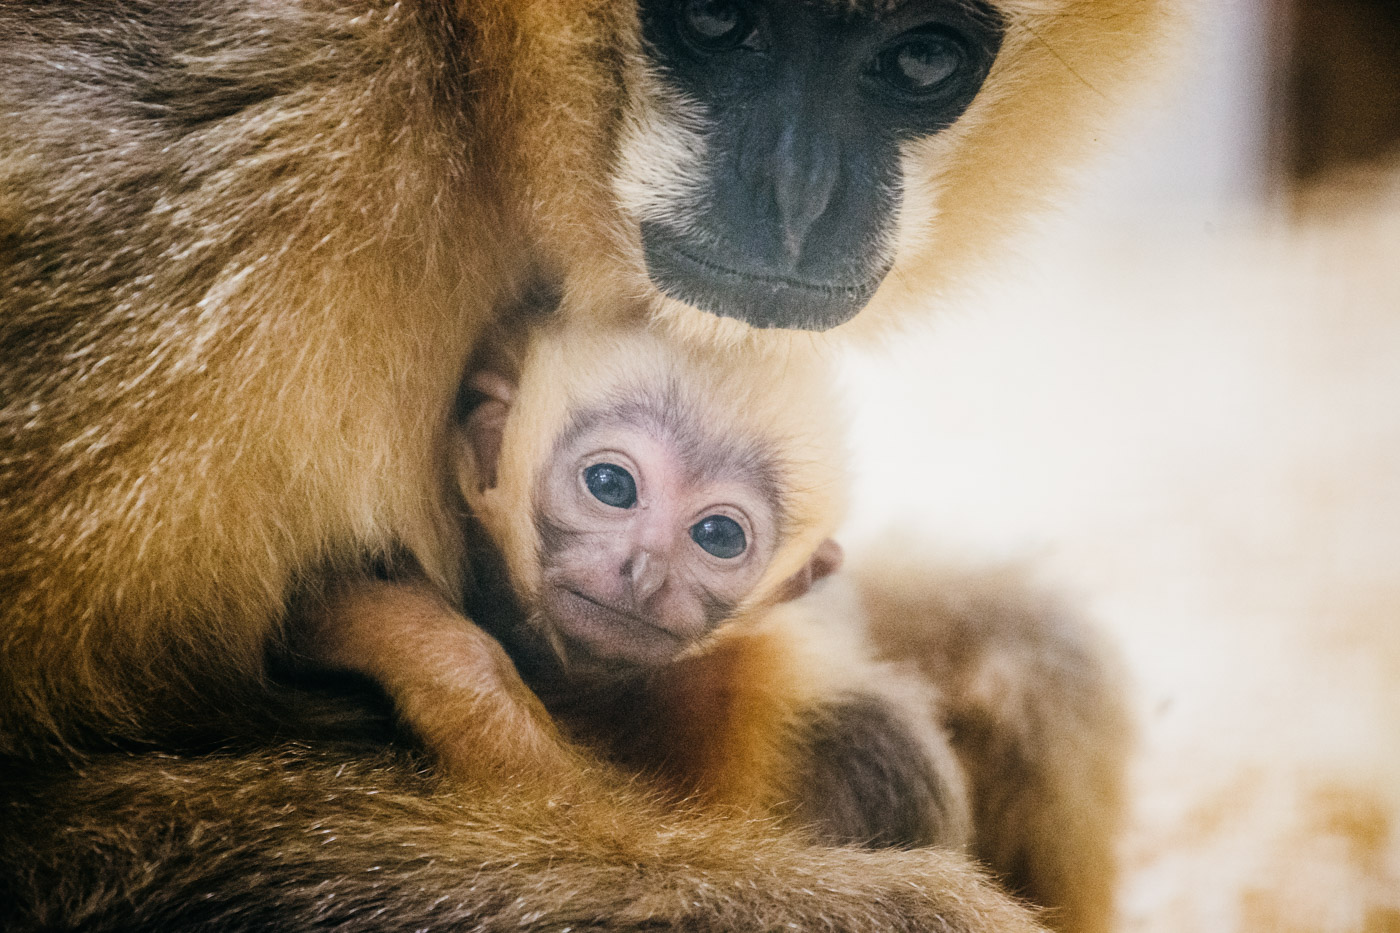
{"type": "Point", "coordinates": [643, 491]}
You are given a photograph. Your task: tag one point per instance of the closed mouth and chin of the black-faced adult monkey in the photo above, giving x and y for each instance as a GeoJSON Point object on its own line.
{"type": "Point", "coordinates": [759, 299]}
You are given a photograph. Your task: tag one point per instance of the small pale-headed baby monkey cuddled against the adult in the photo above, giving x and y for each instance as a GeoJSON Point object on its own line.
{"type": "Point", "coordinates": [628, 572]}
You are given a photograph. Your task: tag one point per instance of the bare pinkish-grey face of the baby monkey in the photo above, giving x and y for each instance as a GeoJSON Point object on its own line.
{"type": "Point", "coordinates": [652, 530]}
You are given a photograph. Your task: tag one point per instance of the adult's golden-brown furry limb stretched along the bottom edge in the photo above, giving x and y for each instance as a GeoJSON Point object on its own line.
{"type": "Point", "coordinates": [373, 845]}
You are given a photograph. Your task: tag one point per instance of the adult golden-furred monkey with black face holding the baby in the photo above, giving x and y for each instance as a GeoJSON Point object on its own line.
{"type": "Point", "coordinates": [246, 253]}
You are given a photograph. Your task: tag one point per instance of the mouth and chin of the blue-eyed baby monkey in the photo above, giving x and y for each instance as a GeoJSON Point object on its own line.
{"type": "Point", "coordinates": [608, 634]}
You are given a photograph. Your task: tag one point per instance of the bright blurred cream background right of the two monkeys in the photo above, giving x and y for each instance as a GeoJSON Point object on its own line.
{"type": "Point", "coordinates": [1179, 404]}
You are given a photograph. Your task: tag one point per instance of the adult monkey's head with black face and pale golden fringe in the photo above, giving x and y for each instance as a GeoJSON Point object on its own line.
{"type": "Point", "coordinates": [793, 163]}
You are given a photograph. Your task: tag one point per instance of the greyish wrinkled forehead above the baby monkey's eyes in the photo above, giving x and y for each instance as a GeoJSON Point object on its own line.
{"type": "Point", "coordinates": [709, 449]}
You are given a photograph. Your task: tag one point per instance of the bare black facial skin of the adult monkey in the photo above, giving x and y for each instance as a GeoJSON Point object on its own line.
{"type": "Point", "coordinates": [807, 107]}
